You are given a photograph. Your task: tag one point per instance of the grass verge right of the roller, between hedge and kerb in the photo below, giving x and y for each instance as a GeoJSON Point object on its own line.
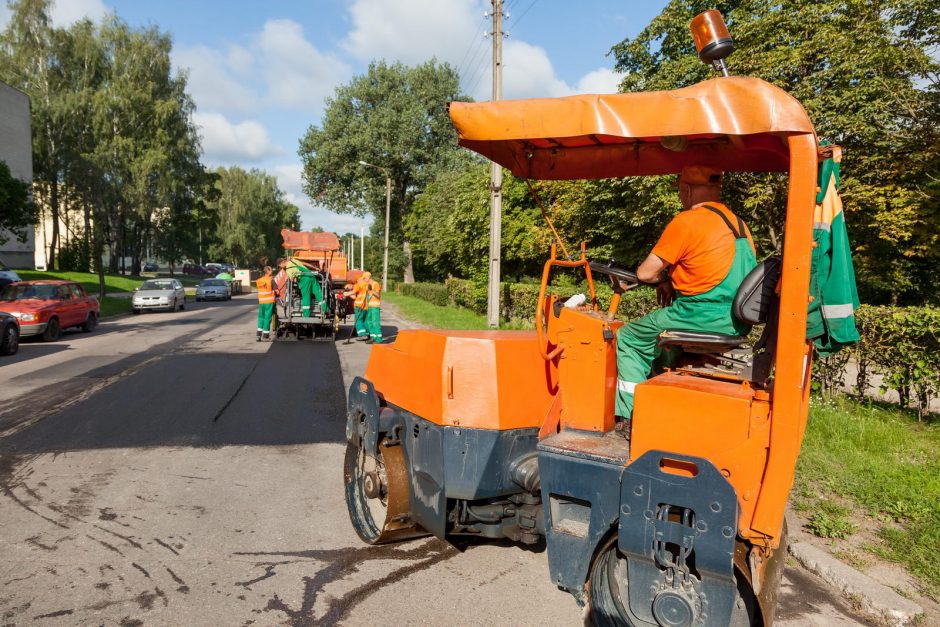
{"type": "Point", "coordinates": [881, 460]}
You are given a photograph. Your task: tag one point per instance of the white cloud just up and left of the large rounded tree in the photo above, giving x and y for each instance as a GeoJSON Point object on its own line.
{"type": "Point", "coordinates": [297, 74]}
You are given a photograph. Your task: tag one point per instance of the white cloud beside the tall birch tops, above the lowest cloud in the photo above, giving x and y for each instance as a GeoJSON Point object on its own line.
{"type": "Point", "coordinates": [212, 81]}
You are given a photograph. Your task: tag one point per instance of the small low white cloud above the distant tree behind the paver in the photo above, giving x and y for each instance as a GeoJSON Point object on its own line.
{"type": "Point", "coordinates": [225, 142]}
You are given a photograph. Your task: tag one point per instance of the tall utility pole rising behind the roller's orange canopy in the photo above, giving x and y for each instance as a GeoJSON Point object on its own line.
{"type": "Point", "coordinates": [496, 177]}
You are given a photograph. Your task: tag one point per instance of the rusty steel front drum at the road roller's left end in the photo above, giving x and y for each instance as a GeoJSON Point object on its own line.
{"type": "Point", "coordinates": [378, 495]}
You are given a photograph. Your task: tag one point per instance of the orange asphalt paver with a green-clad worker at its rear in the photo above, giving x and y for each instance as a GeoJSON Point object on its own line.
{"type": "Point", "coordinates": [312, 258]}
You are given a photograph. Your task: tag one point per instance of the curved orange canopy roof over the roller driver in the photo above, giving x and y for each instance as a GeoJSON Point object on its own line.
{"type": "Point", "coordinates": [732, 123]}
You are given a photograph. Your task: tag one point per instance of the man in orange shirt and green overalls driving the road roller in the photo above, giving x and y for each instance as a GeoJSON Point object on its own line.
{"type": "Point", "coordinates": [697, 265]}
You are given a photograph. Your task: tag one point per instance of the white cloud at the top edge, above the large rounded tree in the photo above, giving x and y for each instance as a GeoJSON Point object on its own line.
{"type": "Point", "coordinates": [413, 31]}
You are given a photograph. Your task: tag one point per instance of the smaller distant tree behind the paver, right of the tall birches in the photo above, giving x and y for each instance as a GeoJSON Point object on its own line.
{"type": "Point", "coordinates": [251, 213]}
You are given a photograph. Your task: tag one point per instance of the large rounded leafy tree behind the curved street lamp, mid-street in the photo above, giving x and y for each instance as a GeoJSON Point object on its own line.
{"type": "Point", "coordinates": [393, 117]}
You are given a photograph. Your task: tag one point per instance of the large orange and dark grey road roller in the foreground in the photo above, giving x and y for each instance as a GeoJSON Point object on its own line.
{"type": "Point", "coordinates": [676, 516]}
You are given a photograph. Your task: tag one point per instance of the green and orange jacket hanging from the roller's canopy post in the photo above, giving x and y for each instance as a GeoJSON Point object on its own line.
{"type": "Point", "coordinates": [831, 320]}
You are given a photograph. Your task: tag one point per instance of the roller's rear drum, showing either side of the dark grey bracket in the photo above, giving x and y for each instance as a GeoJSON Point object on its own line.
{"type": "Point", "coordinates": [607, 587]}
